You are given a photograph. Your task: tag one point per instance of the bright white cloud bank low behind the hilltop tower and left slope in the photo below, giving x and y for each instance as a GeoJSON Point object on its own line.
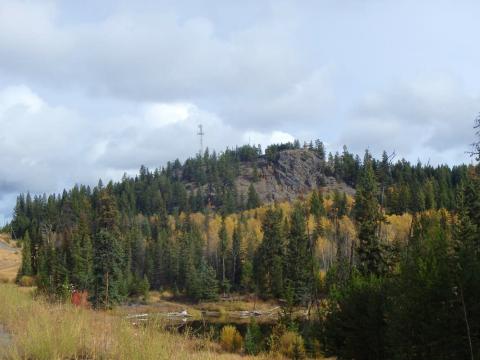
{"type": "Point", "coordinates": [45, 148]}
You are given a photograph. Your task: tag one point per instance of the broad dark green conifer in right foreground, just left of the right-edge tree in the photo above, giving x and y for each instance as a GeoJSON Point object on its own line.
{"type": "Point", "coordinates": [425, 319]}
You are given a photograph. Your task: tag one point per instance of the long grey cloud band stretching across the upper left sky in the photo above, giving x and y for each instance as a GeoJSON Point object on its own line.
{"type": "Point", "coordinates": [254, 75]}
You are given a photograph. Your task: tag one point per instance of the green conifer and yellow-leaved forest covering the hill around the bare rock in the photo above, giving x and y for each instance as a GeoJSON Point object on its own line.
{"type": "Point", "coordinates": [390, 272]}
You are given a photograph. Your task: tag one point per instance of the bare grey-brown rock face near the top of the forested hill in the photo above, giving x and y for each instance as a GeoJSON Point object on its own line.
{"type": "Point", "coordinates": [295, 173]}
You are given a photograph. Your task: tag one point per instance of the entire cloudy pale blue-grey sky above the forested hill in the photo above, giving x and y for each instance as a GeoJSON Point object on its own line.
{"type": "Point", "coordinates": [94, 89]}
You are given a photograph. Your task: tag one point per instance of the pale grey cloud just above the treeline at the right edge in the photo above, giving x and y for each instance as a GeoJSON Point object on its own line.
{"type": "Point", "coordinates": [425, 116]}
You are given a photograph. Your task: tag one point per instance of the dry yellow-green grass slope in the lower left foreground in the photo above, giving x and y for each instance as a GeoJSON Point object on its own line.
{"type": "Point", "coordinates": [41, 330]}
